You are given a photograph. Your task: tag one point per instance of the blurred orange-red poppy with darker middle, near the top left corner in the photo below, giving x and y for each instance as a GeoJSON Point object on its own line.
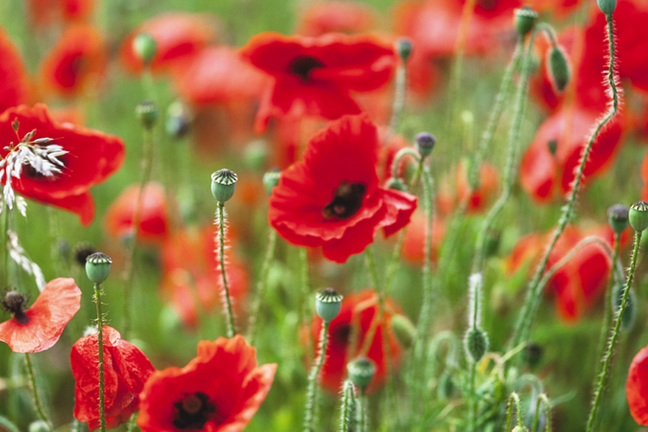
{"type": "Point", "coordinates": [77, 61]}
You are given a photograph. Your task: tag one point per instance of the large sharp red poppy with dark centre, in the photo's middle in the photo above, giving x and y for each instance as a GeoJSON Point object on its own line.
{"type": "Point", "coordinates": [332, 199]}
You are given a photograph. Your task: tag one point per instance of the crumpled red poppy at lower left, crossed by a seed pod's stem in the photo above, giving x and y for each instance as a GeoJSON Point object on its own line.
{"type": "Point", "coordinates": [126, 369]}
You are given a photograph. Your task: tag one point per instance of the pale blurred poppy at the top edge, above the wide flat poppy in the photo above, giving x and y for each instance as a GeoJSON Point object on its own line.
{"type": "Point", "coordinates": [336, 17]}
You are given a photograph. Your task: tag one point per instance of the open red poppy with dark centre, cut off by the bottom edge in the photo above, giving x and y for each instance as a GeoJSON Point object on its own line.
{"type": "Point", "coordinates": [218, 391]}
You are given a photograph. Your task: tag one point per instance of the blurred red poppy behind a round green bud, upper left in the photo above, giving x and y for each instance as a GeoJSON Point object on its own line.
{"type": "Point", "coordinates": [178, 36]}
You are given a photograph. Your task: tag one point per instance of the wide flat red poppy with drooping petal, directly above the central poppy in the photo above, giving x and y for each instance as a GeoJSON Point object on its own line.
{"type": "Point", "coordinates": [315, 76]}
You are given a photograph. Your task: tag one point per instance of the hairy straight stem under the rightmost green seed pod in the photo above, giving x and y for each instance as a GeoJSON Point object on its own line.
{"type": "Point", "coordinates": [598, 393]}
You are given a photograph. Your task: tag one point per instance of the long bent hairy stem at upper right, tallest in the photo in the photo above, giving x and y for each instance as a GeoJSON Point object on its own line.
{"type": "Point", "coordinates": [522, 326]}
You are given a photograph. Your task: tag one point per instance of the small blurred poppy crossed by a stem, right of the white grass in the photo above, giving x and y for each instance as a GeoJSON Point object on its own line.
{"type": "Point", "coordinates": [154, 220]}
